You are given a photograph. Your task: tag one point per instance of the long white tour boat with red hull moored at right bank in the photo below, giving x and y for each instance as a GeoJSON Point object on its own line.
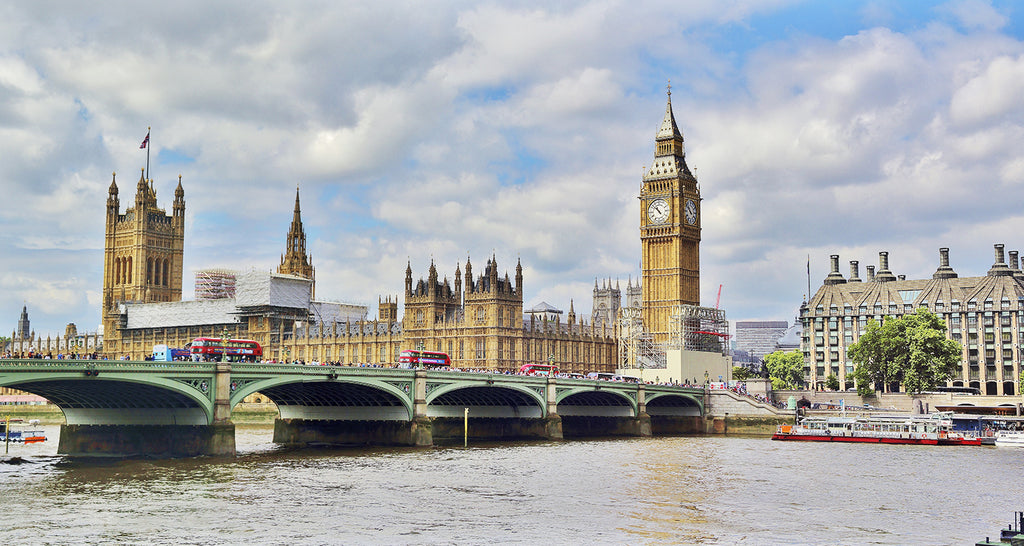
{"type": "Point", "coordinates": [934, 430]}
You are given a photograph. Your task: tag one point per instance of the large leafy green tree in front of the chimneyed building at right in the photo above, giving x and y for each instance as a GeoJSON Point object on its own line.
{"type": "Point", "coordinates": [912, 350]}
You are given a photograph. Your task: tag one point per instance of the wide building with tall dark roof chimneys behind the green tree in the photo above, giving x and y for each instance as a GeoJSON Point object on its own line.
{"type": "Point", "coordinates": [985, 314]}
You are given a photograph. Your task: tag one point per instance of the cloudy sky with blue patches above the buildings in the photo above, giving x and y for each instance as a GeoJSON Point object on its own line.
{"type": "Point", "coordinates": [446, 131]}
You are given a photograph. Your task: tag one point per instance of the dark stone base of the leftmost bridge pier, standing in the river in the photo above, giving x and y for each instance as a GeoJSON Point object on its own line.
{"type": "Point", "coordinates": [158, 442]}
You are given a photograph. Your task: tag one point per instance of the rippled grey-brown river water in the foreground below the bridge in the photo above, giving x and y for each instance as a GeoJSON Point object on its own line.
{"type": "Point", "coordinates": [696, 490]}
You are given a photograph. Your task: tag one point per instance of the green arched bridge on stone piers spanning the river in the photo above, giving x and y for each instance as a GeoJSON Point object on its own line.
{"type": "Point", "coordinates": [176, 409]}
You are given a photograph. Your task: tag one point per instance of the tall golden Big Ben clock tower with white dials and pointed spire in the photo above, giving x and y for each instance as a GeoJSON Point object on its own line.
{"type": "Point", "coordinates": [670, 231]}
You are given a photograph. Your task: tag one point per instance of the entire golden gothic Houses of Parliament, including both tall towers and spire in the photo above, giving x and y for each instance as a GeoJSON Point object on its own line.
{"type": "Point", "coordinates": [478, 318]}
